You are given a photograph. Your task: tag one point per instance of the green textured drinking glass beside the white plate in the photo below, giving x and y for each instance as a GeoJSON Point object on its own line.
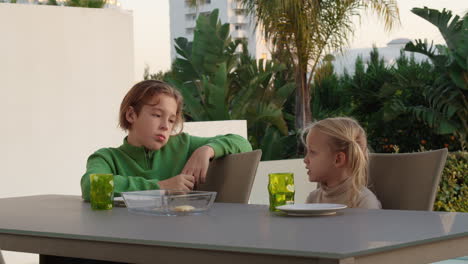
{"type": "Point", "coordinates": [280, 189]}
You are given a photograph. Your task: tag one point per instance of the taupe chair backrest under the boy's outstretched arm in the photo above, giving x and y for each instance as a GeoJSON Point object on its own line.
{"type": "Point", "coordinates": [232, 176]}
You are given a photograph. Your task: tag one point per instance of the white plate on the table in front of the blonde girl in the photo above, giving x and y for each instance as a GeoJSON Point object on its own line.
{"type": "Point", "coordinates": [311, 209]}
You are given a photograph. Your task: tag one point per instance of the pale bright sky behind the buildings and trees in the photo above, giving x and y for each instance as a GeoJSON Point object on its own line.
{"type": "Point", "coordinates": [152, 29]}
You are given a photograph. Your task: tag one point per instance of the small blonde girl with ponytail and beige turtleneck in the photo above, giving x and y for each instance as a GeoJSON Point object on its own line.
{"type": "Point", "coordinates": [337, 158]}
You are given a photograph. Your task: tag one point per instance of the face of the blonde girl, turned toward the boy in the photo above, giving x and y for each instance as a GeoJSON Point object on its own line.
{"type": "Point", "coordinates": [319, 160]}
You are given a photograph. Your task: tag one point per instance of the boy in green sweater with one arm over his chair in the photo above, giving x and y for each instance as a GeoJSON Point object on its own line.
{"type": "Point", "coordinates": [154, 155]}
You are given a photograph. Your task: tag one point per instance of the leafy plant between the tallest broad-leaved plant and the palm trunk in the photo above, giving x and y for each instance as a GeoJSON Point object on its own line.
{"type": "Point", "coordinates": [258, 94]}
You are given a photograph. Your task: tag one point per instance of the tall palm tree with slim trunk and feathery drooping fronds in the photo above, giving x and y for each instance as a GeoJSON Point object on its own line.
{"type": "Point", "coordinates": [304, 31]}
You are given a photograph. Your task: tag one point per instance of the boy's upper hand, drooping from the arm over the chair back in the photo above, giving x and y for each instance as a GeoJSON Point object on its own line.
{"type": "Point", "coordinates": [197, 164]}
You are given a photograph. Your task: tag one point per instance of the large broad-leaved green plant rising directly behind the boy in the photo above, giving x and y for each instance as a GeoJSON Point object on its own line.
{"type": "Point", "coordinates": [201, 70]}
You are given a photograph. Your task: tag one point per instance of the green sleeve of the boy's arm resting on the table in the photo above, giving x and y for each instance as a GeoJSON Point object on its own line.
{"type": "Point", "coordinates": [122, 183]}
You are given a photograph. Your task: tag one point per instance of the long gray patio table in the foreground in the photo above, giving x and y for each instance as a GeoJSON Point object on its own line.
{"type": "Point", "coordinates": [230, 233]}
